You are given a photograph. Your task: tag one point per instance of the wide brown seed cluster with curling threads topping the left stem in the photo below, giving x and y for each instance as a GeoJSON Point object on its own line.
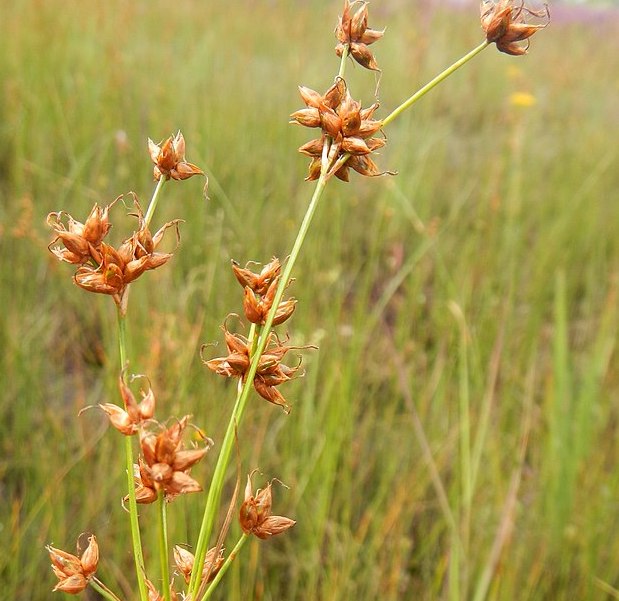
{"type": "Point", "coordinates": [104, 269]}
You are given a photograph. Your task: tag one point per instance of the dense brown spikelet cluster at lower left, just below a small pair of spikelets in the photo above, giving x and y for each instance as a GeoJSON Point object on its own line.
{"type": "Point", "coordinates": [165, 464]}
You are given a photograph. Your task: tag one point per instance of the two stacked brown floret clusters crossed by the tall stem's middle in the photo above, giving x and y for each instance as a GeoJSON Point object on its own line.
{"type": "Point", "coordinates": [259, 296]}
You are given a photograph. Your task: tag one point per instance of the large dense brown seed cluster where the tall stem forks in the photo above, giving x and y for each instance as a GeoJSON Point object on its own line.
{"type": "Point", "coordinates": [347, 134]}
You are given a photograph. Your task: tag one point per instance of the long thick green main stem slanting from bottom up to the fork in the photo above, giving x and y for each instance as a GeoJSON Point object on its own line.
{"type": "Point", "coordinates": [217, 481]}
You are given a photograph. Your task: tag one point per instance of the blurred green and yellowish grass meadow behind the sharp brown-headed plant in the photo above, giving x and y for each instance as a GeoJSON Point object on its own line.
{"type": "Point", "coordinates": [455, 434]}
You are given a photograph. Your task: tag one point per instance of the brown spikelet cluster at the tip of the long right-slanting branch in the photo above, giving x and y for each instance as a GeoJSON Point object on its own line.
{"type": "Point", "coordinates": [503, 22]}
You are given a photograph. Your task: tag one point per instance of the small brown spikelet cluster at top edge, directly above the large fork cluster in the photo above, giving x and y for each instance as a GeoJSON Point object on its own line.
{"type": "Point", "coordinates": [352, 31]}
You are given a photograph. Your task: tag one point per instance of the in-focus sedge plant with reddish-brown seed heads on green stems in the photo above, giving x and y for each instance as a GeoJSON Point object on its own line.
{"type": "Point", "coordinates": [158, 460]}
